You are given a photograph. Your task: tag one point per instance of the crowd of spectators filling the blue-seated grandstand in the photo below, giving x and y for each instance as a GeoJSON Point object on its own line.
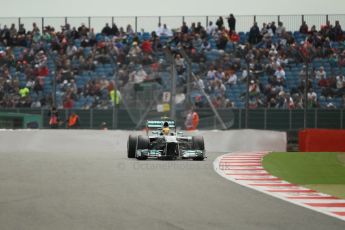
{"type": "Point", "coordinates": [271, 59]}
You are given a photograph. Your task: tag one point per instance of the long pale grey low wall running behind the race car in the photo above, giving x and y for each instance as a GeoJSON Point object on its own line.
{"type": "Point", "coordinates": [57, 141]}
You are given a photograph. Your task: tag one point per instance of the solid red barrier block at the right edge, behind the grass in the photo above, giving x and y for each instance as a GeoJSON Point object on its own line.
{"type": "Point", "coordinates": [321, 140]}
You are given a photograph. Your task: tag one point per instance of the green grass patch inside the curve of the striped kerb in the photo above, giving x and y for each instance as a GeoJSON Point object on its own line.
{"type": "Point", "coordinates": [324, 172]}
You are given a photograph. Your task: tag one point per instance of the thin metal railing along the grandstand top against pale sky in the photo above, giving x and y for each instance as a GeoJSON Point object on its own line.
{"type": "Point", "coordinates": [150, 23]}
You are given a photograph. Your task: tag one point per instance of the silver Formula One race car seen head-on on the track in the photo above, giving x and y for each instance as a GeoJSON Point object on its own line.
{"type": "Point", "coordinates": [163, 142]}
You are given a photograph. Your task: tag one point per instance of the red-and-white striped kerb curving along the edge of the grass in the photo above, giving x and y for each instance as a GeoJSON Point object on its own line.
{"type": "Point", "coordinates": [246, 169]}
